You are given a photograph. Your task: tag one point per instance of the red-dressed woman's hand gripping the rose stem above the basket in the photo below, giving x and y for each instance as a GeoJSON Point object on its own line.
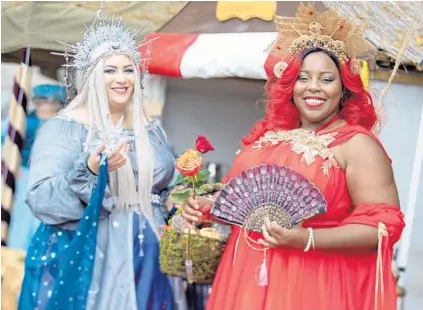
{"type": "Point", "coordinates": [197, 210]}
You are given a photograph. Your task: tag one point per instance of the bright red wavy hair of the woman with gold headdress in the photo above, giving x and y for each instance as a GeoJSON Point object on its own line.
{"type": "Point", "coordinates": [282, 114]}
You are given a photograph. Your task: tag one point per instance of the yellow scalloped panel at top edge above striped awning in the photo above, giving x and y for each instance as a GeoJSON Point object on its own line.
{"type": "Point", "coordinates": [245, 10]}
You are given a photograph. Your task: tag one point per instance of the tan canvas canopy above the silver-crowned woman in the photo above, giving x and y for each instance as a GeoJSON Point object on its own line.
{"type": "Point", "coordinates": [38, 24]}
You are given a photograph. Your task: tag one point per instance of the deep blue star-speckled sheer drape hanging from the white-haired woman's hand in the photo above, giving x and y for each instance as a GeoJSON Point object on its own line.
{"type": "Point", "coordinates": [59, 263]}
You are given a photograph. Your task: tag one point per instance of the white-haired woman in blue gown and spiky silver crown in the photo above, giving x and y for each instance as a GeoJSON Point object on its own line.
{"type": "Point", "coordinates": [110, 262]}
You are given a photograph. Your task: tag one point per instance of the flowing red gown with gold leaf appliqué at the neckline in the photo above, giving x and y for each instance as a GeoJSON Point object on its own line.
{"type": "Point", "coordinates": [317, 279]}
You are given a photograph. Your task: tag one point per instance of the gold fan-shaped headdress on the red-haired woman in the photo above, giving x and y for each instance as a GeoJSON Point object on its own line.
{"type": "Point", "coordinates": [326, 30]}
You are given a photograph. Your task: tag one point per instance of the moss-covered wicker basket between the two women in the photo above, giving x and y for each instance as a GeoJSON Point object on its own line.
{"type": "Point", "coordinates": [177, 248]}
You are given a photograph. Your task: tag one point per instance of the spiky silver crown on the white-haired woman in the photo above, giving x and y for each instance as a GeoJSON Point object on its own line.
{"type": "Point", "coordinates": [113, 36]}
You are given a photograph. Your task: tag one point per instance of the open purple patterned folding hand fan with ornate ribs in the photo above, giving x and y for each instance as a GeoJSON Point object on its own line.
{"type": "Point", "coordinates": [268, 191]}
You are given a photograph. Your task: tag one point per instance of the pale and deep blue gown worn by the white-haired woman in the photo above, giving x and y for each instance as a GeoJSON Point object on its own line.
{"type": "Point", "coordinates": [80, 259]}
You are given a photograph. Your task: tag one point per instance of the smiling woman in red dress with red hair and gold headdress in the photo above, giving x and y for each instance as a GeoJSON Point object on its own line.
{"type": "Point", "coordinates": [318, 121]}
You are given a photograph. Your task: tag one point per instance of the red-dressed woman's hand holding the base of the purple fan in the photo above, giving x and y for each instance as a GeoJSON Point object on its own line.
{"type": "Point", "coordinates": [276, 236]}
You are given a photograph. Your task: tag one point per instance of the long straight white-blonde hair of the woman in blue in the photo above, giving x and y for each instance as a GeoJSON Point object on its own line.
{"type": "Point", "coordinates": [92, 94]}
